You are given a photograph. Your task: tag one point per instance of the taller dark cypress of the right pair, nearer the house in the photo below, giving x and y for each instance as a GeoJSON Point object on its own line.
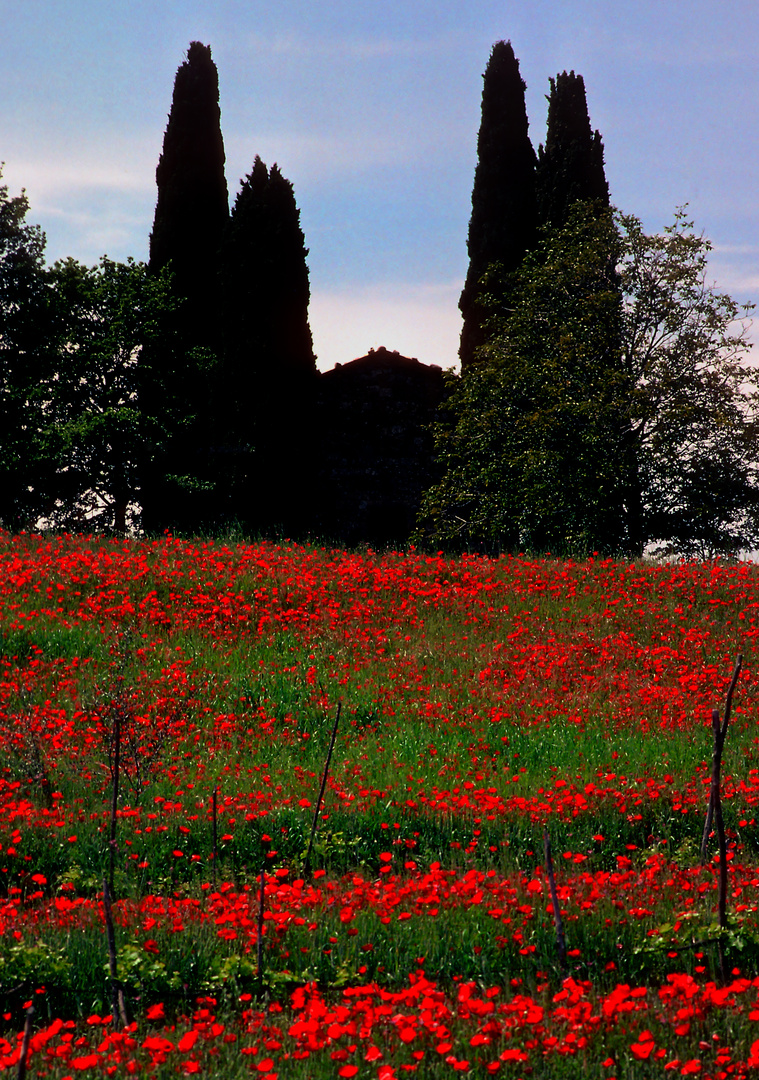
{"type": "Point", "coordinates": [503, 227]}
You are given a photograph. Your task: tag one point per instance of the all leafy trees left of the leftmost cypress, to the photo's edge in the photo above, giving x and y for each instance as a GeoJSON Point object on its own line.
{"type": "Point", "coordinates": [73, 437]}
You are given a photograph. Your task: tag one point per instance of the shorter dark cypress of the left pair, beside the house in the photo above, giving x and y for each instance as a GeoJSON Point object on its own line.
{"type": "Point", "coordinates": [269, 376]}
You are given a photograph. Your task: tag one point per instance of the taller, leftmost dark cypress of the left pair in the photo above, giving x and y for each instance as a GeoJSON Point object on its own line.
{"type": "Point", "coordinates": [192, 214]}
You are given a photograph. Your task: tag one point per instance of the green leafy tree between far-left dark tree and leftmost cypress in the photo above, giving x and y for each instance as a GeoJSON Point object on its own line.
{"type": "Point", "coordinates": [94, 434]}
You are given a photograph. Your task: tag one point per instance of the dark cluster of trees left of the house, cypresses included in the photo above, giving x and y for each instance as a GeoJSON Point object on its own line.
{"type": "Point", "coordinates": [174, 395]}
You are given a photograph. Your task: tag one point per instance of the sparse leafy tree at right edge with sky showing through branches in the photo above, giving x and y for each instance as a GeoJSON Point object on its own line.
{"type": "Point", "coordinates": [695, 411]}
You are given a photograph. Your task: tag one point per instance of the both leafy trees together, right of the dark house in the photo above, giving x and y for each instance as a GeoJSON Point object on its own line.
{"type": "Point", "coordinates": [613, 411]}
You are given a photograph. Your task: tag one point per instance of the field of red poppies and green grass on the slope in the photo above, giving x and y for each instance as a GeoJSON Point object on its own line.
{"type": "Point", "coordinates": [276, 811]}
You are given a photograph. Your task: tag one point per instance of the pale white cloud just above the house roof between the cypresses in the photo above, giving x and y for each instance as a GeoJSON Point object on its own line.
{"type": "Point", "coordinates": [419, 321]}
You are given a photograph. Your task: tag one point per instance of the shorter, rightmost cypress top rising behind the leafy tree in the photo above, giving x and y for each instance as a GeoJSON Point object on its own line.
{"type": "Point", "coordinates": [571, 166]}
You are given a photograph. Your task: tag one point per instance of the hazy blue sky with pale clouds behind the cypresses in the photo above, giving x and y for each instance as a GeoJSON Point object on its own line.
{"type": "Point", "coordinates": [372, 111]}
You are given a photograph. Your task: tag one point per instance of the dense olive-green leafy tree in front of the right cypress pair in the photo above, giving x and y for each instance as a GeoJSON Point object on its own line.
{"type": "Point", "coordinates": [536, 450]}
